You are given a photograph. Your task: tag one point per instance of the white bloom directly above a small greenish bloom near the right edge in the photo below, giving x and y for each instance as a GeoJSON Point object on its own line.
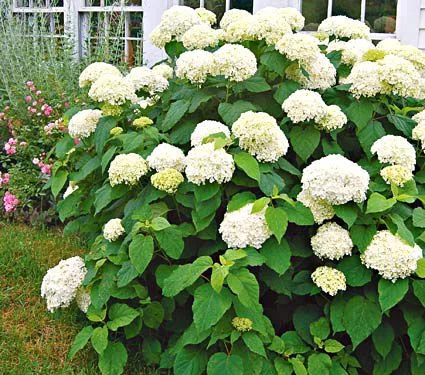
{"type": "Point", "coordinates": [393, 149]}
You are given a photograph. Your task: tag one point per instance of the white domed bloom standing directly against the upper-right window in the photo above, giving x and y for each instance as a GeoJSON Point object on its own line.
{"type": "Point", "coordinates": [342, 27]}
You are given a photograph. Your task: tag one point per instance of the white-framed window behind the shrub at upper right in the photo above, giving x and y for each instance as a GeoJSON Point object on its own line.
{"type": "Point", "coordinates": [379, 15]}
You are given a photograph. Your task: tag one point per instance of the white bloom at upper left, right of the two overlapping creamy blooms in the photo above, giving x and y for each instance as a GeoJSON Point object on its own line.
{"type": "Point", "coordinates": [147, 80]}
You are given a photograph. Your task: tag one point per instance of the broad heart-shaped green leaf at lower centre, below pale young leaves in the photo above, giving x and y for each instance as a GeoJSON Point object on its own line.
{"type": "Point", "coordinates": [209, 306]}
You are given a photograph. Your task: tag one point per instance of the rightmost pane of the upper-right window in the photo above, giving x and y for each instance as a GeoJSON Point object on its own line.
{"type": "Point", "coordinates": [381, 15]}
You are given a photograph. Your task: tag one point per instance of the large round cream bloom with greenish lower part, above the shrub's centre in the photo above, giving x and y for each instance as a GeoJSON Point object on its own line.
{"type": "Point", "coordinates": [260, 135]}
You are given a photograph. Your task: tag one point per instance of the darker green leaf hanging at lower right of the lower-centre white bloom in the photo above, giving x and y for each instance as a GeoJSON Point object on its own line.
{"type": "Point", "coordinates": [278, 256]}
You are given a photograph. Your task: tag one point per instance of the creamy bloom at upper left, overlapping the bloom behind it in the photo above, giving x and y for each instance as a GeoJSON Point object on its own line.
{"type": "Point", "coordinates": [112, 89]}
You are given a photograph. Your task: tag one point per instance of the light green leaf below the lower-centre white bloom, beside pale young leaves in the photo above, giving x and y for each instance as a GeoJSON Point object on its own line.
{"type": "Point", "coordinates": [245, 286]}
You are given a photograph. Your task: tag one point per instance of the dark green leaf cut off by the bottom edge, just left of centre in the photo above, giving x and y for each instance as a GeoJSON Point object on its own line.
{"type": "Point", "coordinates": [190, 361]}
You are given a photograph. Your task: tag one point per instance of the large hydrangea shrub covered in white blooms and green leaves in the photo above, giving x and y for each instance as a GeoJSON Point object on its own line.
{"type": "Point", "coordinates": [254, 205]}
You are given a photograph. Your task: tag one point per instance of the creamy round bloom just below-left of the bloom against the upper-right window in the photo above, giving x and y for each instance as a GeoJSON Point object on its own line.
{"type": "Point", "coordinates": [299, 47]}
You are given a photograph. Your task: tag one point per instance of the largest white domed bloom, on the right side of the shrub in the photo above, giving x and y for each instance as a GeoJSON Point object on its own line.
{"type": "Point", "coordinates": [336, 180]}
